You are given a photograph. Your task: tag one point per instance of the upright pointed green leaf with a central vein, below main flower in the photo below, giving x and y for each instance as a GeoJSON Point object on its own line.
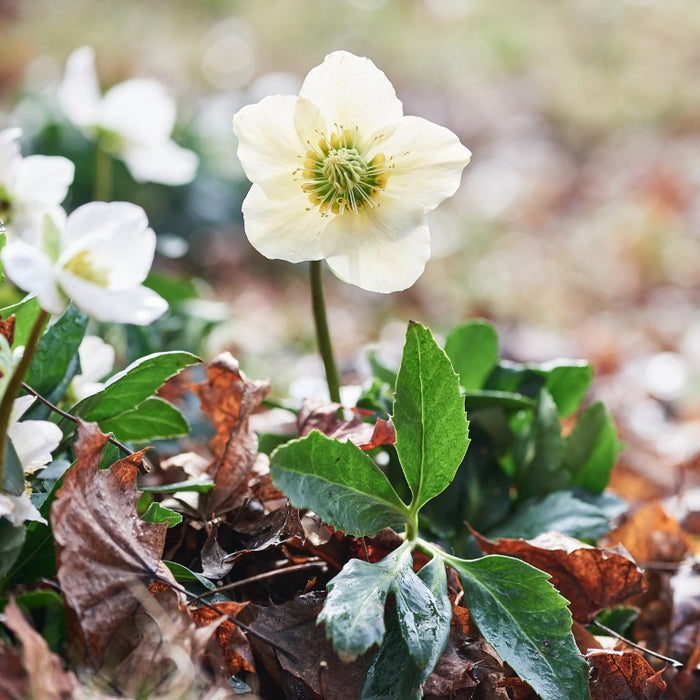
{"type": "Point", "coordinates": [432, 431]}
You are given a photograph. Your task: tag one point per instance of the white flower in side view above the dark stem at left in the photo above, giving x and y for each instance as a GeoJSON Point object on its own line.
{"type": "Point", "coordinates": [98, 257]}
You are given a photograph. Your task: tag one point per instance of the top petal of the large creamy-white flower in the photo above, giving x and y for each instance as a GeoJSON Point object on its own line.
{"type": "Point", "coordinates": [351, 91]}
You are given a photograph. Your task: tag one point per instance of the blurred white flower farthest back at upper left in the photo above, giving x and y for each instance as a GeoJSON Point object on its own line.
{"type": "Point", "coordinates": [133, 120]}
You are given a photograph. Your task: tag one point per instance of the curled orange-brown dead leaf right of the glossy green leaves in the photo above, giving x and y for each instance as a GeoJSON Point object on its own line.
{"type": "Point", "coordinates": [588, 577]}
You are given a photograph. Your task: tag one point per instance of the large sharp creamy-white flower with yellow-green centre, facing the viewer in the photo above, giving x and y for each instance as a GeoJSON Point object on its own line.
{"type": "Point", "coordinates": [340, 173]}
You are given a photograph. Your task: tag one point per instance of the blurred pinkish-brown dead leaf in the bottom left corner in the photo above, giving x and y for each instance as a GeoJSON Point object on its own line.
{"type": "Point", "coordinates": [36, 672]}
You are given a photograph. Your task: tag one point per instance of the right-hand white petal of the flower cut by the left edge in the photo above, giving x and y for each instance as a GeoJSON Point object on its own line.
{"type": "Point", "coordinates": [44, 180]}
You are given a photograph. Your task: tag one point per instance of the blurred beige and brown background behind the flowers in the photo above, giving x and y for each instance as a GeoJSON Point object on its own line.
{"type": "Point", "coordinates": [576, 229]}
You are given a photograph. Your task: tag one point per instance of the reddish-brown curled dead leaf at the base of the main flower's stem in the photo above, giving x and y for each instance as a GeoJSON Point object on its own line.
{"type": "Point", "coordinates": [323, 416]}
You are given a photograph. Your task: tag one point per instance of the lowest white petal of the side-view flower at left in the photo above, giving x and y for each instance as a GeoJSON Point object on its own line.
{"type": "Point", "coordinates": [138, 305]}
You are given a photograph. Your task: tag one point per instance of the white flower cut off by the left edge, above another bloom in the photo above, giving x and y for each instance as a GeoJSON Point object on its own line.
{"type": "Point", "coordinates": [30, 187]}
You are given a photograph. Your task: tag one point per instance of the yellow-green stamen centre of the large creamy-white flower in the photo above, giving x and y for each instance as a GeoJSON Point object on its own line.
{"type": "Point", "coordinates": [338, 177]}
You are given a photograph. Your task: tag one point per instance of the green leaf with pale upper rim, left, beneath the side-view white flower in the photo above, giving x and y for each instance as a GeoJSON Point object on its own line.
{"type": "Point", "coordinates": [130, 387]}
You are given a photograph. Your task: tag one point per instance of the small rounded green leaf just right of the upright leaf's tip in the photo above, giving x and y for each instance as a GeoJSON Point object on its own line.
{"type": "Point", "coordinates": [473, 351]}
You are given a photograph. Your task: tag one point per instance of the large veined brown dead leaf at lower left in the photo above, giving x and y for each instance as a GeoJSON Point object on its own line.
{"type": "Point", "coordinates": [103, 547]}
